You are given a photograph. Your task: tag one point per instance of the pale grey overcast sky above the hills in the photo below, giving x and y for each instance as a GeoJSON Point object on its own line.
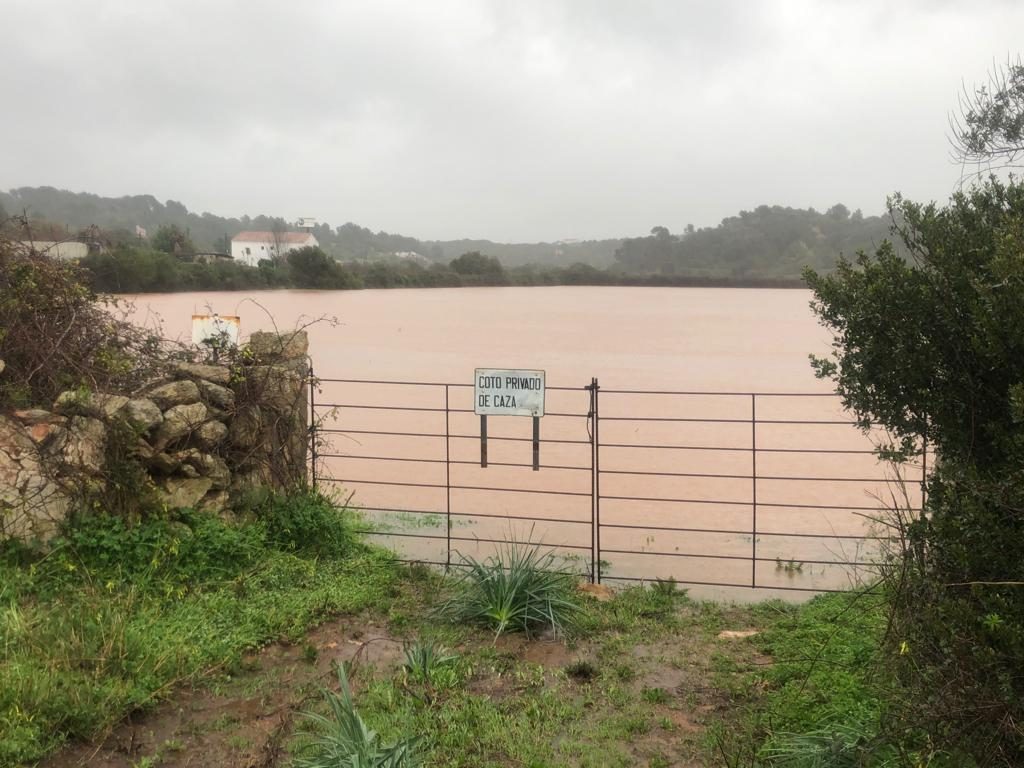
{"type": "Point", "coordinates": [521, 120]}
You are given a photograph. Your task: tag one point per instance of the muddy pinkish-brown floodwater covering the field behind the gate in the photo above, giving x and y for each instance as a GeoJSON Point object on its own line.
{"type": "Point", "coordinates": [803, 533]}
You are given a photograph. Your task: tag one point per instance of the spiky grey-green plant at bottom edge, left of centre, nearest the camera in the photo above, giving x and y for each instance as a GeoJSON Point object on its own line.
{"type": "Point", "coordinates": [342, 739]}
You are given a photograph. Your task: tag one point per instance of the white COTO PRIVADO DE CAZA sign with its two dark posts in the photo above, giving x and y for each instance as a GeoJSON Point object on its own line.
{"type": "Point", "coordinates": [499, 392]}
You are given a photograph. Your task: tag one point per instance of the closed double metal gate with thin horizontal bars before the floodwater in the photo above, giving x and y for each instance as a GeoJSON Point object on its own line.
{"type": "Point", "coordinates": [777, 491]}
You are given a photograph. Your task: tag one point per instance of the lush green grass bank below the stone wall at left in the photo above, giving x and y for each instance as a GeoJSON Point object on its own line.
{"type": "Point", "coordinates": [115, 617]}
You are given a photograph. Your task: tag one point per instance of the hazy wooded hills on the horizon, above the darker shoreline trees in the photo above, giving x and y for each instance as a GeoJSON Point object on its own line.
{"type": "Point", "coordinates": [771, 242]}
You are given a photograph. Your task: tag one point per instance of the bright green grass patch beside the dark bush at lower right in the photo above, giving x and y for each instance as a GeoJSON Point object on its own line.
{"type": "Point", "coordinates": [822, 700]}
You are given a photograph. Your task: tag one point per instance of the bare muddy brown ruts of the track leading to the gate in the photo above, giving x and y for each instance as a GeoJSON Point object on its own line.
{"type": "Point", "coordinates": [675, 686]}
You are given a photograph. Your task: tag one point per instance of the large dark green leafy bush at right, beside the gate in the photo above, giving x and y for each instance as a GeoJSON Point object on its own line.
{"type": "Point", "coordinates": [933, 349]}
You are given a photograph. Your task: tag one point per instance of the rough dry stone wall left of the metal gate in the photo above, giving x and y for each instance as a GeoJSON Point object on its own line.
{"type": "Point", "coordinates": [203, 438]}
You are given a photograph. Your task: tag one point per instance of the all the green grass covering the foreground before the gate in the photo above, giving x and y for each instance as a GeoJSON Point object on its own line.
{"type": "Point", "coordinates": [89, 636]}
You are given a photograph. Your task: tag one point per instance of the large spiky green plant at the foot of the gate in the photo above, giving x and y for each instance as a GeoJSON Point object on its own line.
{"type": "Point", "coordinates": [520, 589]}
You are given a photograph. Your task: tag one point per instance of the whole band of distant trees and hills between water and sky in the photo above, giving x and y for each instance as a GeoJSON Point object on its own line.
{"type": "Point", "coordinates": [770, 245]}
